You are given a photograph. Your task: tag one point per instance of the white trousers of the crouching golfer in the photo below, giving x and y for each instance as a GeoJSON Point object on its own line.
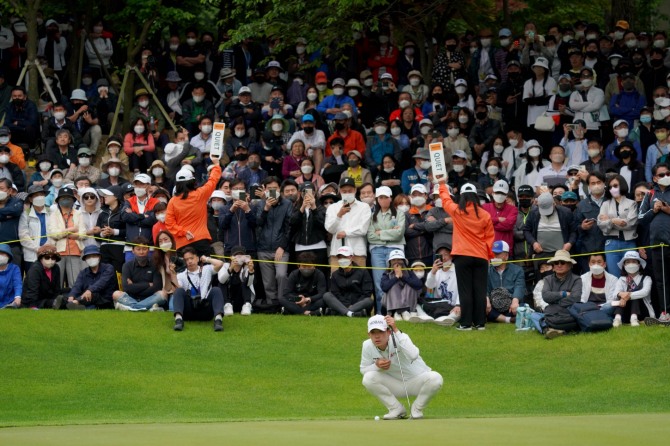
{"type": "Point", "coordinates": [388, 389]}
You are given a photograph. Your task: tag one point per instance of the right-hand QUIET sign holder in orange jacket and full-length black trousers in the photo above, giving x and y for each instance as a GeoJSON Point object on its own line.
{"type": "Point", "coordinates": [473, 239]}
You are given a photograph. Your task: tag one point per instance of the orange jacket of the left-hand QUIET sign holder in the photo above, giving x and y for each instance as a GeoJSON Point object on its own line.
{"type": "Point", "coordinates": [191, 214]}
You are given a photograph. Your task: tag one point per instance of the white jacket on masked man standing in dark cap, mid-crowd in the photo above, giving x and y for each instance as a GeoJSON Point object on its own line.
{"type": "Point", "coordinates": [355, 225]}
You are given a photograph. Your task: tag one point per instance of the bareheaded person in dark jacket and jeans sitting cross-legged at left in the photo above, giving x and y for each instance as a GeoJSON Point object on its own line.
{"type": "Point", "coordinates": [141, 280]}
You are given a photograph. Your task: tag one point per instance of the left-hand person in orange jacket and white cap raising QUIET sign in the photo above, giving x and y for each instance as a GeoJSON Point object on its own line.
{"type": "Point", "coordinates": [186, 216]}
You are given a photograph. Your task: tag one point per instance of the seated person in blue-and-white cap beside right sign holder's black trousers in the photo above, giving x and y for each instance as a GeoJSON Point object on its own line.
{"type": "Point", "coordinates": [506, 285]}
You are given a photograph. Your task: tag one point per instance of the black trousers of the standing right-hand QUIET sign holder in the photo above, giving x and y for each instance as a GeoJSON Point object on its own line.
{"type": "Point", "coordinates": [472, 277]}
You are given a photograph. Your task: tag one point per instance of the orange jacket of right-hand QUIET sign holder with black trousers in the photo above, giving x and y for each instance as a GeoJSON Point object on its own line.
{"type": "Point", "coordinates": [473, 236]}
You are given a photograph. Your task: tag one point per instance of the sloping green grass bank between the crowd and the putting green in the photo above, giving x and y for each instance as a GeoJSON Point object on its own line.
{"type": "Point", "coordinates": [111, 367]}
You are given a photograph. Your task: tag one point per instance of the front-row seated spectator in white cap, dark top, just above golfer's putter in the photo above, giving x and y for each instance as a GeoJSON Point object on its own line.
{"type": "Point", "coordinates": [401, 288]}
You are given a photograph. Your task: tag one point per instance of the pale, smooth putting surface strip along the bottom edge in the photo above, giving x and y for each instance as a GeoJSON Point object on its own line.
{"type": "Point", "coordinates": [633, 429]}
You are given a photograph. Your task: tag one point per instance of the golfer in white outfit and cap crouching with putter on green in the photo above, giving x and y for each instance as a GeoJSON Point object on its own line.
{"type": "Point", "coordinates": [392, 367]}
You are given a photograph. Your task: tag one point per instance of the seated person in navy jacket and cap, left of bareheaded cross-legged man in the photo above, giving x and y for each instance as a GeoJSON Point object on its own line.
{"type": "Point", "coordinates": [95, 284]}
